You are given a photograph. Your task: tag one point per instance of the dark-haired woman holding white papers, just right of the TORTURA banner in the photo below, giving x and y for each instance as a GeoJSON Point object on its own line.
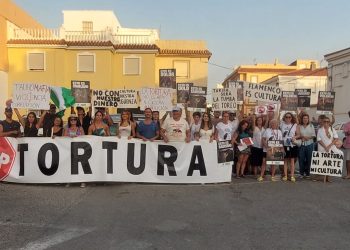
{"type": "Point", "coordinates": [243, 153]}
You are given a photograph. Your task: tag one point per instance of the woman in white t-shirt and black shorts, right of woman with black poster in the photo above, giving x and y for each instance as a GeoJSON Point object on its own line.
{"type": "Point", "coordinates": [288, 127]}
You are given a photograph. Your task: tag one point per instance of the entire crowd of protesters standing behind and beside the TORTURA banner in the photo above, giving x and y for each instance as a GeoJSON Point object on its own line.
{"type": "Point", "coordinates": [301, 135]}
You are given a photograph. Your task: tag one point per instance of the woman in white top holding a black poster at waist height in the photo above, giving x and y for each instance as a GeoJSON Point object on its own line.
{"type": "Point", "coordinates": [271, 133]}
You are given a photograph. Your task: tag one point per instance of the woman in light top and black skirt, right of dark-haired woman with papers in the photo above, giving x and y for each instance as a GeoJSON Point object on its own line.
{"type": "Point", "coordinates": [257, 155]}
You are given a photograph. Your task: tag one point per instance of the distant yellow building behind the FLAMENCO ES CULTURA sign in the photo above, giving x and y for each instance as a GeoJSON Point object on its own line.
{"type": "Point", "coordinates": [258, 73]}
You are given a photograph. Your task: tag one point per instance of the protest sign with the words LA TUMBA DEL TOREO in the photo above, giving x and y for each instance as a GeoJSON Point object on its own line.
{"type": "Point", "coordinates": [224, 99]}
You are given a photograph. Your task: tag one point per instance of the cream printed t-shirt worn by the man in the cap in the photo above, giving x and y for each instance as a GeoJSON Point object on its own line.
{"type": "Point", "coordinates": [175, 130]}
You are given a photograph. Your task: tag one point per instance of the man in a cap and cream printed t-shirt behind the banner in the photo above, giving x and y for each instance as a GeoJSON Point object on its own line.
{"type": "Point", "coordinates": [175, 128]}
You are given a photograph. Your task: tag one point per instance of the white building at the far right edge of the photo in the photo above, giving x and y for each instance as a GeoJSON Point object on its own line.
{"type": "Point", "coordinates": [339, 81]}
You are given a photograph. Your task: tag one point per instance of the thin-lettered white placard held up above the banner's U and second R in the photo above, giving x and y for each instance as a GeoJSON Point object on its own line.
{"type": "Point", "coordinates": [158, 99]}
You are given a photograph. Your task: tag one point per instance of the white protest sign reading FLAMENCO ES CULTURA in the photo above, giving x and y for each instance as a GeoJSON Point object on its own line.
{"type": "Point", "coordinates": [262, 92]}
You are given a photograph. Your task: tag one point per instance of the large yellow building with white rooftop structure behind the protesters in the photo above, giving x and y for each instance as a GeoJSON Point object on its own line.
{"type": "Point", "coordinates": [90, 48]}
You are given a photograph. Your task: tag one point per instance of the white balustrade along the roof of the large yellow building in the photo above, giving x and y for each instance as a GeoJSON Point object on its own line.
{"type": "Point", "coordinates": [58, 34]}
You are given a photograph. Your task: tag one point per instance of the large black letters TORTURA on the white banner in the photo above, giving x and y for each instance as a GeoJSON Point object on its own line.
{"type": "Point", "coordinates": [81, 152]}
